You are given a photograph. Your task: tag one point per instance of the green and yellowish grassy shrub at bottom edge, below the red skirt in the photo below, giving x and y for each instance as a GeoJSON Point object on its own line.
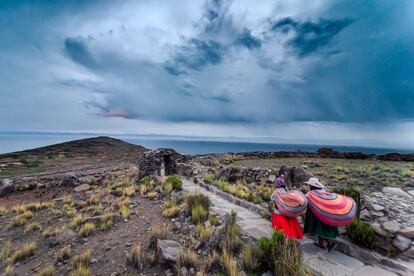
{"type": "Point", "coordinates": [282, 256]}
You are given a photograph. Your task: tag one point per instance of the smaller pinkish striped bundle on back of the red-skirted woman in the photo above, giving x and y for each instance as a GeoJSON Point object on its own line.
{"type": "Point", "coordinates": [290, 204]}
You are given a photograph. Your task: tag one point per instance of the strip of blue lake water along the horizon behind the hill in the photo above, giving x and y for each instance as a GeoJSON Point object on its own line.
{"type": "Point", "coordinates": [185, 145]}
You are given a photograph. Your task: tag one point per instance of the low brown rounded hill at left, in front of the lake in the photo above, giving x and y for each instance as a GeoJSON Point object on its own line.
{"type": "Point", "coordinates": [73, 155]}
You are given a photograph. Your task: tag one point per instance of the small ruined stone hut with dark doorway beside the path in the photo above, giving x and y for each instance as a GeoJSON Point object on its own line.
{"type": "Point", "coordinates": [160, 162]}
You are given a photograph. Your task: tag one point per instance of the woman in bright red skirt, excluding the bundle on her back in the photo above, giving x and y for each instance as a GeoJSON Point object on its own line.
{"type": "Point", "coordinates": [289, 226]}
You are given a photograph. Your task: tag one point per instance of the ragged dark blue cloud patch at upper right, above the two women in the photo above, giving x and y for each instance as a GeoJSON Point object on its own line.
{"type": "Point", "coordinates": [310, 36]}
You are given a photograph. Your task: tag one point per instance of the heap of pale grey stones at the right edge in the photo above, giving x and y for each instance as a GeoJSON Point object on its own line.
{"type": "Point", "coordinates": [391, 213]}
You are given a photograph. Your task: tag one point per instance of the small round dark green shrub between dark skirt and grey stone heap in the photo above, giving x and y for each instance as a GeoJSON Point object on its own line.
{"type": "Point", "coordinates": [361, 233]}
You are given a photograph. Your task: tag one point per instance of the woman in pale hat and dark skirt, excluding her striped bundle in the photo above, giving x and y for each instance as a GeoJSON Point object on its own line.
{"type": "Point", "coordinates": [313, 226]}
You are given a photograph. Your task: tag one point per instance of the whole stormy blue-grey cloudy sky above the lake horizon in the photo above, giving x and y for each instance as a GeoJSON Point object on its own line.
{"type": "Point", "coordinates": [297, 70]}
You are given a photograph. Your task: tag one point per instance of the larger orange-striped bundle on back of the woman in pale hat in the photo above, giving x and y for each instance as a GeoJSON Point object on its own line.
{"type": "Point", "coordinates": [332, 209]}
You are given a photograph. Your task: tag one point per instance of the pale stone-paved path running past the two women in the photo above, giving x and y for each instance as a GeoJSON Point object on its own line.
{"type": "Point", "coordinates": [329, 264]}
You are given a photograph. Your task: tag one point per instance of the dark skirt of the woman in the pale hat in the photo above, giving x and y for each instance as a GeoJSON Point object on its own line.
{"type": "Point", "coordinates": [315, 227]}
